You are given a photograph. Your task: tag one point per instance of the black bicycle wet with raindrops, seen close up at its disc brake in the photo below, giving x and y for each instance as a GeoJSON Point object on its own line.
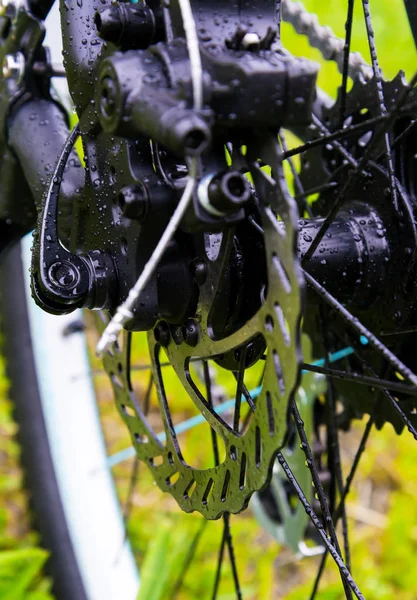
{"type": "Point", "coordinates": [181, 187]}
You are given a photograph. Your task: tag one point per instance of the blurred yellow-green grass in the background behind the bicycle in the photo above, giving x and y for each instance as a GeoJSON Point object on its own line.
{"type": "Point", "coordinates": [382, 511]}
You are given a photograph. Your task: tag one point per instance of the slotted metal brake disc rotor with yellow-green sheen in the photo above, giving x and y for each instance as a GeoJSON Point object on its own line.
{"type": "Point", "coordinates": [249, 455]}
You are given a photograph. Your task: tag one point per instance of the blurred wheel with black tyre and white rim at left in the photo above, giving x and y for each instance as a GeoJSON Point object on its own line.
{"type": "Point", "coordinates": [63, 455]}
